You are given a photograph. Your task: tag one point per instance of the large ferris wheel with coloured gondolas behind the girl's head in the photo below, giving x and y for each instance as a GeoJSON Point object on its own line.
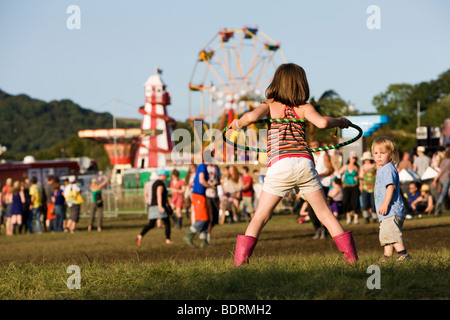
{"type": "Point", "coordinates": [231, 73]}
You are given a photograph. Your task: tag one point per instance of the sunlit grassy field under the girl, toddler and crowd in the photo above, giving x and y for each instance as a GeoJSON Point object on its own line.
{"type": "Point", "coordinates": [287, 264]}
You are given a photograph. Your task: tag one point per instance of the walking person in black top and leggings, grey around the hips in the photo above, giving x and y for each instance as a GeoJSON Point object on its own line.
{"type": "Point", "coordinates": [159, 207]}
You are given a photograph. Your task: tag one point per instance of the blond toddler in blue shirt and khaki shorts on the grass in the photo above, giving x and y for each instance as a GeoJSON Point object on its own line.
{"type": "Point", "coordinates": [388, 200]}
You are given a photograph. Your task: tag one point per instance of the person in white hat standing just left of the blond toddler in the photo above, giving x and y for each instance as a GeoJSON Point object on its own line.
{"type": "Point", "coordinates": [367, 176]}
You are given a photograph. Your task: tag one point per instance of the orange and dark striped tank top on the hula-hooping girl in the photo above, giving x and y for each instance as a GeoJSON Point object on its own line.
{"type": "Point", "coordinates": [287, 139]}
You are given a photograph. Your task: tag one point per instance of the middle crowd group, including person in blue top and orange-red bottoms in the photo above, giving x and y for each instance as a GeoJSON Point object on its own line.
{"type": "Point", "coordinates": [207, 195]}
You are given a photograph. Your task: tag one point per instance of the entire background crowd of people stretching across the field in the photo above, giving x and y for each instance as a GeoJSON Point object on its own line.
{"type": "Point", "coordinates": [230, 195]}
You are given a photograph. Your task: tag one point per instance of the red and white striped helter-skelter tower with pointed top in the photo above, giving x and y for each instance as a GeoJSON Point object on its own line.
{"type": "Point", "coordinates": [154, 150]}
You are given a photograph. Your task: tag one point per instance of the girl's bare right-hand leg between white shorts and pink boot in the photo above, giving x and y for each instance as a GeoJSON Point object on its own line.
{"type": "Point", "coordinates": [318, 203]}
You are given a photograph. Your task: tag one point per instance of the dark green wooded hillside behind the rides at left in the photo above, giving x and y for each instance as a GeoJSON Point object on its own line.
{"type": "Point", "coordinates": [49, 130]}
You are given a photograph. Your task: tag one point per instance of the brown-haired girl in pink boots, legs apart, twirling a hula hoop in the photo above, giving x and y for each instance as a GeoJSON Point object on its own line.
{"type": "Point", "coordinates": [291, 163]}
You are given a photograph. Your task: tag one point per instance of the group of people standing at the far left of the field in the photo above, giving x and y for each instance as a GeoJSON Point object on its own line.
{"type": "Point", "coordinates": [29, 207]}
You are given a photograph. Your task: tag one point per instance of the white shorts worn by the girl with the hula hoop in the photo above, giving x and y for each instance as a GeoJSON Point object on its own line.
{"type": "Point", "coordinates": [296, 173]}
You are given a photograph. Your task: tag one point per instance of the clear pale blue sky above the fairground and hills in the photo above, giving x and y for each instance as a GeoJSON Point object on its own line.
{"type": "Point", "coordinates": [120, 43]}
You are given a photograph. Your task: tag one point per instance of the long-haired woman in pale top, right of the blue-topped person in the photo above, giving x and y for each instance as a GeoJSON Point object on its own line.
{"type": "Point", "coordinates": [232, 186]}
